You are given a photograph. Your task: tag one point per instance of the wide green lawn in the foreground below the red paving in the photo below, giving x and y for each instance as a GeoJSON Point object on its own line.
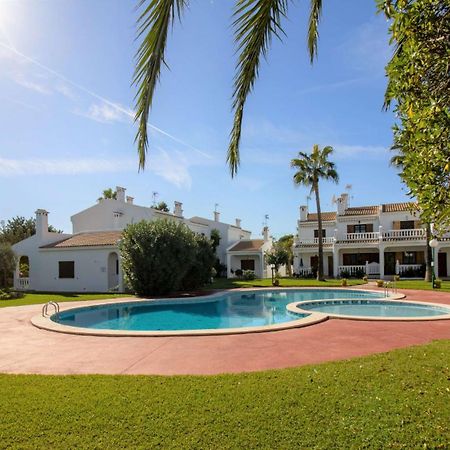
{"type": "Point", "coordinates": [394, 400]}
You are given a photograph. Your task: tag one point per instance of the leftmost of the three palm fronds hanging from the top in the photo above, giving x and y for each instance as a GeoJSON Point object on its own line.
{"type": "Point", "coordinates": [153, 25]}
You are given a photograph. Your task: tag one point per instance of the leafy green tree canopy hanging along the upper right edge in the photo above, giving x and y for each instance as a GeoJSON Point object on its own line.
{"type": "Point", "coordinates": [419, 91]}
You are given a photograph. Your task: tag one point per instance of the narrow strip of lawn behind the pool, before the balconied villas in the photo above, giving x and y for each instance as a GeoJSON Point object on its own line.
{"type": "Point", "coordinates": [224, 283]}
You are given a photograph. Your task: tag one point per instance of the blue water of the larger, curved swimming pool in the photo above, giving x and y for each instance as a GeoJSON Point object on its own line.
{"type": "Point", "coordinates": [233, 310]}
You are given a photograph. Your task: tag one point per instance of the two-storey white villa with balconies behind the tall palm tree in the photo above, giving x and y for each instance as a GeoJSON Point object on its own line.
{"type": "Point", "coordinates": [379, 240]}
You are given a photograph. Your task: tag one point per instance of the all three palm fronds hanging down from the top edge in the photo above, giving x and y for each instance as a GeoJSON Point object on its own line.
{"type": "Point", "coordinates": [255, 22]}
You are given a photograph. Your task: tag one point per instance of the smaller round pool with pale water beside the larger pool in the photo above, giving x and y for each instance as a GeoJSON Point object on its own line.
{"type": "Point", "coordinates": [375, 308]}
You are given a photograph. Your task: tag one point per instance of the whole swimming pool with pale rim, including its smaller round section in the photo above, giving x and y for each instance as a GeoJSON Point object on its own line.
{"type": "Point", "coordinates": [244, 311]}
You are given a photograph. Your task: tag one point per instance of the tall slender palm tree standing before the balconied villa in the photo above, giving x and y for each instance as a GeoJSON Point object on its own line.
{"type": "Point", "coordinates": [310, 169]}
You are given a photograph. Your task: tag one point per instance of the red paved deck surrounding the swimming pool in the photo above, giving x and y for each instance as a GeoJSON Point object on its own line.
{"type": "Point", "coordinates": [26, 349]}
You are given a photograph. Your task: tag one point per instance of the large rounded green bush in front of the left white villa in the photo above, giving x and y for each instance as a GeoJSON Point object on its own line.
{"type": "Point", "coordinates": [163, 256]}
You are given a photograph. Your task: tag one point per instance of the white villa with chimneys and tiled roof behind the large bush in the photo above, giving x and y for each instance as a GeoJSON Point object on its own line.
{"type": "Point", "coordinates": [88, 260]}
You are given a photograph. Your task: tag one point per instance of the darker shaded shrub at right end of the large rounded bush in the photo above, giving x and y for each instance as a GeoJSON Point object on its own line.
{"type": "Point", "coordinates": [200, 272]}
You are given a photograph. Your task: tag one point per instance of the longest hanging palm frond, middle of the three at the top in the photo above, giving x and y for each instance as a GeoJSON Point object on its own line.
{"type": "Point", "coordinates": [255, 22]}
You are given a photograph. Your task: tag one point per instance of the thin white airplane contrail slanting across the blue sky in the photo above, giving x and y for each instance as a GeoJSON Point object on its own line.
{"type": "Point", "coordinates": [99, 97]}
